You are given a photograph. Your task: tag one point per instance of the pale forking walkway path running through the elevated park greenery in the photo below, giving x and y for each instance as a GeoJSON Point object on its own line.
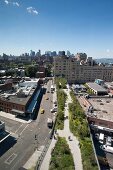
{"type": "Point", "coordinates": [73, 143]}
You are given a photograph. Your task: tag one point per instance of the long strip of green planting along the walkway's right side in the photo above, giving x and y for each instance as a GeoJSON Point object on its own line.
{"type": "Point", "coordinates": [79, 127]}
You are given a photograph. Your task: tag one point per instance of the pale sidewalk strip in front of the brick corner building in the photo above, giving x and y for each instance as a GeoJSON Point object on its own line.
{"type": "Point", "coordinates": [12, 117]}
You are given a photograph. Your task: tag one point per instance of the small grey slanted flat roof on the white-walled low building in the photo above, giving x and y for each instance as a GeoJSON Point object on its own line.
{"type": "Point", "coordinates": [96, 87]}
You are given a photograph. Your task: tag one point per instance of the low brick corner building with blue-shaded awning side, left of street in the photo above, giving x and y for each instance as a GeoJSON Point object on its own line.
{"type": "Point", "coordinates": [22, 100]}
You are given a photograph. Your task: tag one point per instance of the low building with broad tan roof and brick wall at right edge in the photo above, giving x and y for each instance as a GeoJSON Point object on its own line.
{"type": "Point", "coordinates": [101, 114]}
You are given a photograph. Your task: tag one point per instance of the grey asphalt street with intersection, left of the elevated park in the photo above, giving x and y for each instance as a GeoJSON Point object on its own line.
{"type": "Point", "coordinates": [14, 154]}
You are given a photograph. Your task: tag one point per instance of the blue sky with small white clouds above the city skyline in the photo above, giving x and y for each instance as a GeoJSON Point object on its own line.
{"type": "Point", "coordinates": [75, 25]}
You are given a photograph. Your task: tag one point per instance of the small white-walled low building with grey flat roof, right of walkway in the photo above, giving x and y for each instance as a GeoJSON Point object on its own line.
{"type": "Point", "coordinates": [97, 89]}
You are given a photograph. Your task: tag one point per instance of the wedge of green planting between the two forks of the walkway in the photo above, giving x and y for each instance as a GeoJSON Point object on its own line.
{"type": "Point", "coordinates": [61, 157]}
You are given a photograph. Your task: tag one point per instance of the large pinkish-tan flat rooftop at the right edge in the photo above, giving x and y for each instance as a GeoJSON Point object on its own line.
{"type": "Point", "coordinates": [103, 108]}
